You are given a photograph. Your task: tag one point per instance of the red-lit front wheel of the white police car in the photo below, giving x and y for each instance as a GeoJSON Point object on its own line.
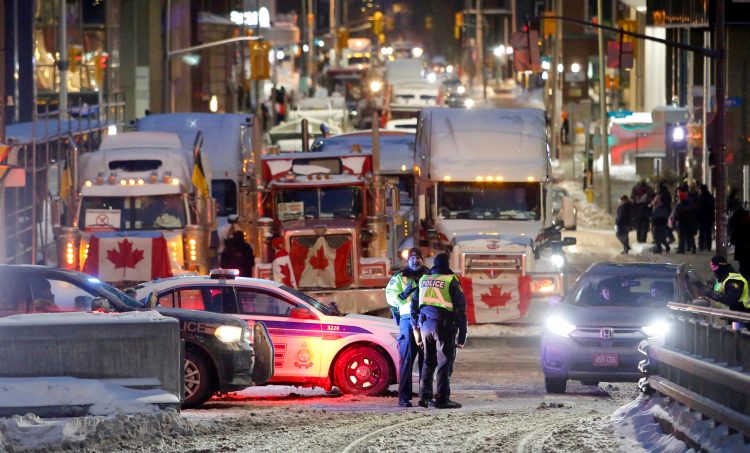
{"type": "Point", "coordinates": [362, 370]}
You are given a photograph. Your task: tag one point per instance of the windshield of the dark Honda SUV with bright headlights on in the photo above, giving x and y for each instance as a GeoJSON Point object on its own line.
{"type": "Point", "coordinates": [624, 291]}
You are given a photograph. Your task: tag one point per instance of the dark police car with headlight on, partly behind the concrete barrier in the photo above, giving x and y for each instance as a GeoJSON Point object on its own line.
{"type": "Point", "coordinates": [214, 362]}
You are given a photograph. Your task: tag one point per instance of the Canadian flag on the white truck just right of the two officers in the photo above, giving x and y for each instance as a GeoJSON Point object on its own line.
{"type": "Point", "coordinates": [501, 299]}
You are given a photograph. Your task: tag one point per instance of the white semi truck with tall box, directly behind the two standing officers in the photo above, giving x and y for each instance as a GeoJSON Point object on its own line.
{"type": "Point", "coordinates": [484, 196]}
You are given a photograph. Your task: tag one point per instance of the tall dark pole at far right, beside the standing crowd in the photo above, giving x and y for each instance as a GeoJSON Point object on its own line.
{"type": "Point", "coordinates": [720, 133]}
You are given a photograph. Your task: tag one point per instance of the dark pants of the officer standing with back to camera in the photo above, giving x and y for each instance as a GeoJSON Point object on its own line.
{"type": "Point", "coordinates": [439, 337]}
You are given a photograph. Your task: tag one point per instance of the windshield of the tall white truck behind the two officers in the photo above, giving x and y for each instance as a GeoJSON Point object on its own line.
{"type": "Point", "coordinates": [489, 200]}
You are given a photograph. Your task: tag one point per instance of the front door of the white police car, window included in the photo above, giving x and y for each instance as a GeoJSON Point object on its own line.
{"type": "Point", "coordinates": [295, 332]}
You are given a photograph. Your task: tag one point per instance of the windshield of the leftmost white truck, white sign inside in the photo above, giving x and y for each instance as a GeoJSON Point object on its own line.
{"type": "Point", "coordinates": [162, 212]}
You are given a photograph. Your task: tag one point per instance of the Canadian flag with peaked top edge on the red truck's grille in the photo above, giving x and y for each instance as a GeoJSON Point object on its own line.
{"type": "Point", "coordinates": [321, 266]}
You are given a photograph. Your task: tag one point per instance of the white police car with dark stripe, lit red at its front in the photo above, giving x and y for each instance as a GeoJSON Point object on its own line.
{"type": "Point", "coordinates": [315, 345]}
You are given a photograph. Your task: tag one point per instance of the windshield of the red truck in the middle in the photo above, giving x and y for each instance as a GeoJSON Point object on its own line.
{"type": "Point", "coordinates": [319, 202]}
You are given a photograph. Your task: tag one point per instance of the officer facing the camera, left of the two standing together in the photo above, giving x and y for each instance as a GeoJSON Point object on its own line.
{"type": "Point", "coordinates": [398, 294]}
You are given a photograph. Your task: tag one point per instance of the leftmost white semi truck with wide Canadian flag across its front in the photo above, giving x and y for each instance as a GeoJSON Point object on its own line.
{"type": "Point", "coordinates": [136, 214]}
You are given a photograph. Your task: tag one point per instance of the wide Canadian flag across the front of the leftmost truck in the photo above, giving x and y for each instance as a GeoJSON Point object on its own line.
{"type": "Point", "coordinates": [117, 257]}
